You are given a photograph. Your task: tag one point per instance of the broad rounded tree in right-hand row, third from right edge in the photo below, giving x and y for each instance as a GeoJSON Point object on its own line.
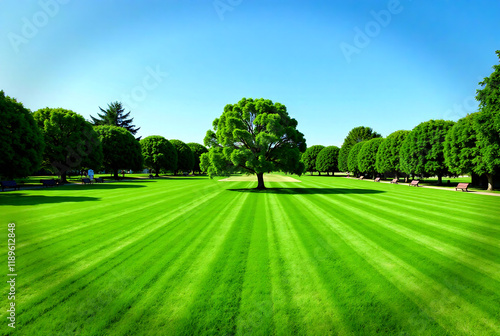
{"type": "Point", "coordinates": [422, 152]}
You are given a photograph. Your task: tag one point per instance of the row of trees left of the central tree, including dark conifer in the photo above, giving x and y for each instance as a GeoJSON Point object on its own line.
{"type": "Point", "coordinates": [63, 141]}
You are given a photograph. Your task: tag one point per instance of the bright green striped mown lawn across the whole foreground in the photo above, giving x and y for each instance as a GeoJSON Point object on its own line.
{"type": "Point", "coordinates": [189, 255]}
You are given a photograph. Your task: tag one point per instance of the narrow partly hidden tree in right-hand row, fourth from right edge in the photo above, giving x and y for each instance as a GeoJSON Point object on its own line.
{"type": "Point", "coordinates": [388, 153]}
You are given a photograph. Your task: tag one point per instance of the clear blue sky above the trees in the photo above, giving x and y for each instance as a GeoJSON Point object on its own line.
{"type": "Point", "coordinates": [336, 65]}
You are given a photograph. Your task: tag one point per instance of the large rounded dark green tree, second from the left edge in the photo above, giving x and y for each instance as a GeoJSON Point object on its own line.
{"type": "Point", "coordinates": [70, 140]}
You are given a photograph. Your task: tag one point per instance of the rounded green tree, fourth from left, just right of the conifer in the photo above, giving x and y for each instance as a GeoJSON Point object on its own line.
{"type": "Point", "coordinates": [158, 153]}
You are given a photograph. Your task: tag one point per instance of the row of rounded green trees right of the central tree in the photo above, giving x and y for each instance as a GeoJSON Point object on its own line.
{"type": "Point", "coordinates": [433, 148]}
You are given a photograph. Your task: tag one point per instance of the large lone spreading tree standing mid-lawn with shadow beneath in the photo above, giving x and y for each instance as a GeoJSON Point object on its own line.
{"type": "Point", "coordinates": [254, 136]}
